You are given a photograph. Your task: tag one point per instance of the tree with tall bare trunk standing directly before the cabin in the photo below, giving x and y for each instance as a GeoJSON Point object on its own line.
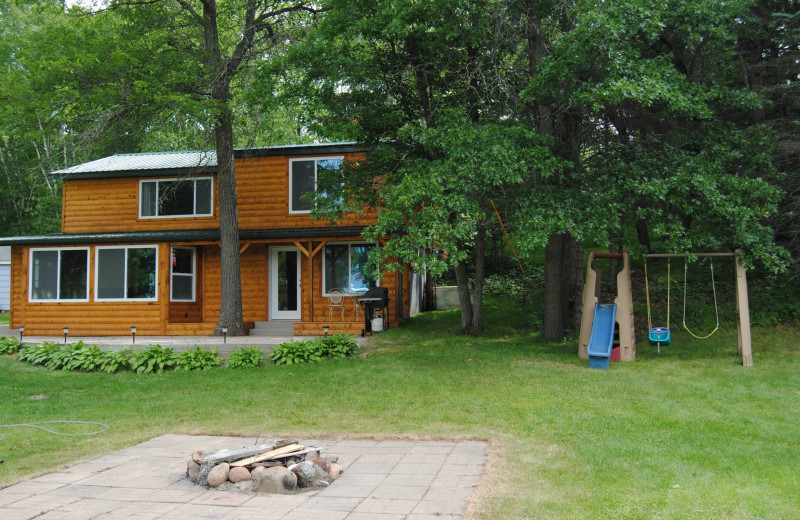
{"type": "Point", "coordinates": [214, 41]}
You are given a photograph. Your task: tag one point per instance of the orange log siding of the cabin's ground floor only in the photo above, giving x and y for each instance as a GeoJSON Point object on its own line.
{"type": "Point", "coordinates": [163, 317]}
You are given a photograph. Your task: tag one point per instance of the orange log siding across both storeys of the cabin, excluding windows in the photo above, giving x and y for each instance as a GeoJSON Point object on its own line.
{"type": "Point", "coordinates": [112, 205]}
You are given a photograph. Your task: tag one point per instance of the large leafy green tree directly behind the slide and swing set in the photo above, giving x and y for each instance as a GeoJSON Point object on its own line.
{"type": "Point", "coordinates": [637, 96]}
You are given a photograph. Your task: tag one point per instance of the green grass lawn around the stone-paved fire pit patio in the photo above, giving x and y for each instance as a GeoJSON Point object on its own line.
{"type": "Point", "coordinates": [687, 434]}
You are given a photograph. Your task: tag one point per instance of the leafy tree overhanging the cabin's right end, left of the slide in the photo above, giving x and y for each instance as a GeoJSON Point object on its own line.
{"type": "Point", "coordinates": [422, 83]}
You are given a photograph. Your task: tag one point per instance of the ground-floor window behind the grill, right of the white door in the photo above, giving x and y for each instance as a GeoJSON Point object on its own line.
{"type": "Point", "coordinates": [344, 267]}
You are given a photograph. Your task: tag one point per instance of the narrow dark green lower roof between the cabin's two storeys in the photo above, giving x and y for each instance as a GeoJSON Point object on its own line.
{"type": "Point", "coordinates": [192, 235]}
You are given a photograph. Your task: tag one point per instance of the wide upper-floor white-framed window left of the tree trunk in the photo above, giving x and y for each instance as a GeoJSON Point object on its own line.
{"type": "Point", "coordinates": [164, 198]}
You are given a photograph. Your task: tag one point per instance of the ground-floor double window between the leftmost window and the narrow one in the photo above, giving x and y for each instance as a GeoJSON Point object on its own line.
{"type": "Point", "coordinates": [126, 273]}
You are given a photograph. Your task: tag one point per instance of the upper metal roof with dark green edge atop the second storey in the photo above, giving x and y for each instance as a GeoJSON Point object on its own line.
{"type": "Point", "coordinates": [187, 162]}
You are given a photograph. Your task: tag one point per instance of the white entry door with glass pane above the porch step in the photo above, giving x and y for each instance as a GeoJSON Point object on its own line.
{"type": "Point", "coordinates": [284, 283]}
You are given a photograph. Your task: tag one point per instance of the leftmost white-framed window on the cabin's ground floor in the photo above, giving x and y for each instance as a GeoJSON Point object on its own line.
{"type": "Point", "coordinates": [59, 274]}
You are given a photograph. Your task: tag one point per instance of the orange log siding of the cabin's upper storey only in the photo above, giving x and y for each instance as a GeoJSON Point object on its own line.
{"type": "Point", "coordinates": [112, 204]}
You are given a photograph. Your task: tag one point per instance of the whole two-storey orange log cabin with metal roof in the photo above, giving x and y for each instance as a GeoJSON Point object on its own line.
{"type": "Point", "coordinates": [139, 245]}
